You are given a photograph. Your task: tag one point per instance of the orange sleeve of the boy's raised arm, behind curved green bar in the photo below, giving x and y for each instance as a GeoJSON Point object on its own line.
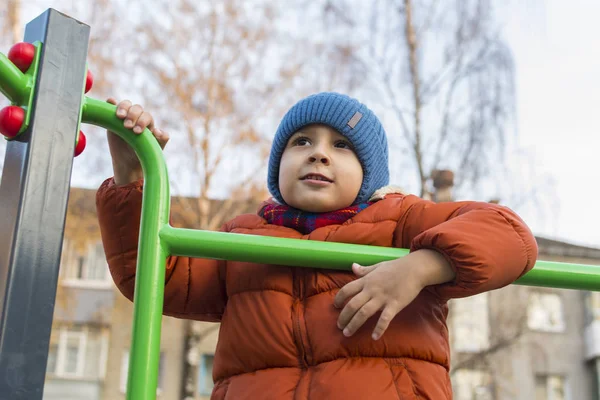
{"type": "Point", "coordinates": [194, 288]}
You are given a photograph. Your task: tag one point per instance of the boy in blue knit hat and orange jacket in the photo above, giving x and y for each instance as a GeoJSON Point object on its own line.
{"type": "Point", "coordinates": [297, 333]}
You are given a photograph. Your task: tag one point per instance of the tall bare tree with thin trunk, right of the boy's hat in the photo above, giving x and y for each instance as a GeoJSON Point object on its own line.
{"type": "Point", "coordinates": [444, 75]}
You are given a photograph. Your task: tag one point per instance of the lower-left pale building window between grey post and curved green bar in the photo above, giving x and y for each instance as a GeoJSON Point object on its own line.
{"type": "Point", "coordinates": [77, 352]}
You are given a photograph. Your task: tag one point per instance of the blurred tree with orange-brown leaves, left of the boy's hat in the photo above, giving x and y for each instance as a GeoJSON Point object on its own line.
{"type": "Point", "coordinates": [214, 75]}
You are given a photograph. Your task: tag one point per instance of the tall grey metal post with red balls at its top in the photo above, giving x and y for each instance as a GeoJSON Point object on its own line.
{"type": "Point", "coordinates": [33, 200]}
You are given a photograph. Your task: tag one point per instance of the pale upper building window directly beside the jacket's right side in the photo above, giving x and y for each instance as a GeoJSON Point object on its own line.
{"type": "Point", "coordinates": [470, 324]}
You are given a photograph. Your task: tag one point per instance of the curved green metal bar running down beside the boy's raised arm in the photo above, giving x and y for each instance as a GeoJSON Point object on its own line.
{"type": "Point", "coordinates": [150, 278]}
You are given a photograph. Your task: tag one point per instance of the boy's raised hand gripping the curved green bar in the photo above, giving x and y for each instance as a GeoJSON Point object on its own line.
{"type": "Point", "coordinates": [126, 165]}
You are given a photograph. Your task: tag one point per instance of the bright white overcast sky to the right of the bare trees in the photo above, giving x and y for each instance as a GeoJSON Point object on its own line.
{"type": "Point", "coordinates": [555, 45]}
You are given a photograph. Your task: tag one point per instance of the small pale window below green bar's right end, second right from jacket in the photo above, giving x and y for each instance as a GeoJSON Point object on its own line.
{"type": "Point", "coordinates": [545, 312]}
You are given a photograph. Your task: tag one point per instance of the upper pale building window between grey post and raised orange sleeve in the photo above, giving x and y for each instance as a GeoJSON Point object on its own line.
{"type": "Point", "coordinates": [88, 269]}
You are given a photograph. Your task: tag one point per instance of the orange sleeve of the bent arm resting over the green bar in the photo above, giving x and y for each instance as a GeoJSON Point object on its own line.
{"type": "Point", "coordinates": [487, 245]}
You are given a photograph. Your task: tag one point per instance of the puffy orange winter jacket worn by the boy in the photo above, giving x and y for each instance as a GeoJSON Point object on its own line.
{"type": "Point", "coordinates": [278, 336]}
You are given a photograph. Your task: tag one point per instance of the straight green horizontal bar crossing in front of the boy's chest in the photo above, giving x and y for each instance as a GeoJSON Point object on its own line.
{"type": "Point", "coordinates": [317, 254]}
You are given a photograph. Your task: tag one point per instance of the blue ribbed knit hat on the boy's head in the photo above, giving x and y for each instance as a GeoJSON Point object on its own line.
{"type": "Point", "coordinates": [351, 119]}
